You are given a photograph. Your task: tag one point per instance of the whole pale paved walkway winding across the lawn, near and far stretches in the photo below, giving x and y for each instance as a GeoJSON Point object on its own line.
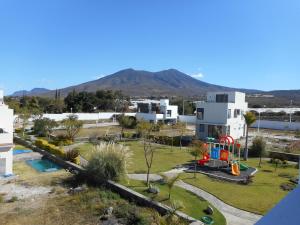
{"type": "Point", "coordinates": [233, 215]}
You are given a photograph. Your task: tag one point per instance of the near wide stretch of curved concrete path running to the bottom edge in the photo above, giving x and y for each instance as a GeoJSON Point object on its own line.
{"type": "Point", "coordinates": [233, 215]}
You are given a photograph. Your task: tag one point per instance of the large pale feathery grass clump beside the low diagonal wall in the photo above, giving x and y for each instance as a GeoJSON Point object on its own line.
{"type": "Point", "coordinates": [108, 162]}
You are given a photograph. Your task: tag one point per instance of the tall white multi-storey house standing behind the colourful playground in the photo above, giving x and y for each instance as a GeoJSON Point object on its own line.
{"type": "Point", "coordinates": [221, 114]}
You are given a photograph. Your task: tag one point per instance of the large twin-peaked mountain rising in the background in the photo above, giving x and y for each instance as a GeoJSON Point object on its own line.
{"type": "Point", "coordinates": [132, 82]}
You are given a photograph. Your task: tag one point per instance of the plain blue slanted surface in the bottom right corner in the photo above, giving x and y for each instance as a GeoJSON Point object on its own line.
{"type": "Point", "coordinates": [285, 212]}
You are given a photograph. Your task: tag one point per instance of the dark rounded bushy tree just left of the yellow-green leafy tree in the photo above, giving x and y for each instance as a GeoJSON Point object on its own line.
{"type": "Point", "coordinates": [44, 126]}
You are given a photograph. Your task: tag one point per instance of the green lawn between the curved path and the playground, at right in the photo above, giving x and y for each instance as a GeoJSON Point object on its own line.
{"type": "Point", "coordinates": [259, 196]}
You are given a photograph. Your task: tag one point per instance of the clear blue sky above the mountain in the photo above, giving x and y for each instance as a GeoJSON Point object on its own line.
{"type": "Point", "coordinates": [57, 43]}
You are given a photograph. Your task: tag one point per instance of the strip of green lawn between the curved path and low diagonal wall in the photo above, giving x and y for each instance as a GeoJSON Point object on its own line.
{"type": "Point", "coordinates": [192, 204]}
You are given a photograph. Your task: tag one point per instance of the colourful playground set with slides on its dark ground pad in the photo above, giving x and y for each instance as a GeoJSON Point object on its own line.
{"type": "Point", "coordinates": [222, 160]}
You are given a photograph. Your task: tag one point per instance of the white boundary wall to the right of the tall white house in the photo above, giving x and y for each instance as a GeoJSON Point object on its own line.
{"type": "Point", "coordinates": [277, 125]}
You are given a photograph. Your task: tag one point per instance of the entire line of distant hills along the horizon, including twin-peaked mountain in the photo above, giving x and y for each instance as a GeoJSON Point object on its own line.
{"type": "Point", "coordinates": [171, 83]}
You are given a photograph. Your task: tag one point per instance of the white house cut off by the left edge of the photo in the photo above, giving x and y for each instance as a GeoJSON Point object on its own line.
{"type": "Point", "coordinates": [6, 138]}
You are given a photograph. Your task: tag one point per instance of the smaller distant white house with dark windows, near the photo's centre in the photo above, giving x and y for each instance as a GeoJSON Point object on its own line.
{"type": "Point", "coordinates": [154, 112]}
